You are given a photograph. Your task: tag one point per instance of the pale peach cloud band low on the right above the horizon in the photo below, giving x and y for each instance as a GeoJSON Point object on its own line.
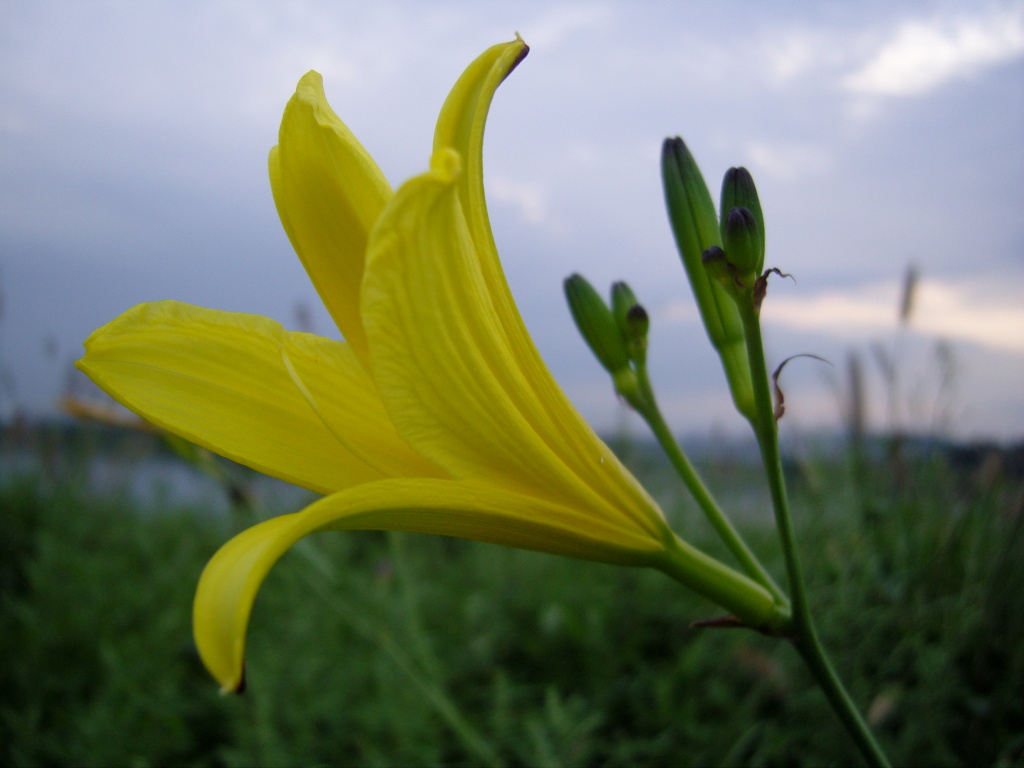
{"type": "Point", "coordinates": [969, 313]}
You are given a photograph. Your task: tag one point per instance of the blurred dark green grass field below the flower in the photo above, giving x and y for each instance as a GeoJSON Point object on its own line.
{"type": "Point", "coordinates": [392, 650]}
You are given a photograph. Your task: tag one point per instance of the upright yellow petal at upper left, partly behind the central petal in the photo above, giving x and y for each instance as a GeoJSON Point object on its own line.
{"type": "Point", "coordinates": [329, 193]}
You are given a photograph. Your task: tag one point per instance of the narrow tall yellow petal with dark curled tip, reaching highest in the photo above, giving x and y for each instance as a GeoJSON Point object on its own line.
{"type": "Point", "coordinates": [460, 127]}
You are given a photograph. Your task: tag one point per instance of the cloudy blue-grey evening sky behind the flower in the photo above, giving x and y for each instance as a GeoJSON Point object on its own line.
{"type": "Point", "coordinates": [135, 137]}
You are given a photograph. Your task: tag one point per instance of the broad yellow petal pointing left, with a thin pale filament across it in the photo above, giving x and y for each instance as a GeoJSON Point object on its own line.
{"type": "Point", "coordinates": [219, 379]}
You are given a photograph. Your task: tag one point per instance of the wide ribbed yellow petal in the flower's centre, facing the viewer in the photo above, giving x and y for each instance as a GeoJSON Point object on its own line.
{"type": "Point", "coordinates": [446, 373]}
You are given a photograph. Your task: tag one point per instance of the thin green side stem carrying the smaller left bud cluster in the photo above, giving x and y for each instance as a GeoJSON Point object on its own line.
{"type": "Point", "coordinates": [648, 407]}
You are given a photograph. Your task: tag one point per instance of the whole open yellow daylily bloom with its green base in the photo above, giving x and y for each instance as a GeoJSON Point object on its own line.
{"type": "Point", "coordinates": [436, 415]}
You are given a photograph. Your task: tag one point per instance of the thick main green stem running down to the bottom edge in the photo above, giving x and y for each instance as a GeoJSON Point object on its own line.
{"type": "Point", "coordinates": [806, 641]}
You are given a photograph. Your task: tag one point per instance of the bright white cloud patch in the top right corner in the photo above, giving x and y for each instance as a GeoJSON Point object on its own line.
{"type": "Point", "coordinates": [925, 56]}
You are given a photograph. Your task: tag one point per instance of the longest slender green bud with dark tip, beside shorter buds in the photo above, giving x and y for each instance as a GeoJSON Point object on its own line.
{"type": "Point", "coordinates": [696, 227]}
